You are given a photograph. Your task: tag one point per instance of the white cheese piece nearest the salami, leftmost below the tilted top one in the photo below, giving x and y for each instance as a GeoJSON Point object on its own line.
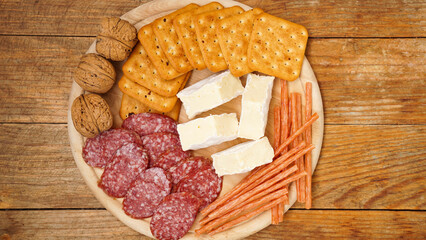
{"type": "Point", "coordinates": [208, 131]}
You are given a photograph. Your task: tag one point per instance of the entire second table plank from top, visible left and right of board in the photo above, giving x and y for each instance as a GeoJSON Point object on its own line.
{"type": "Point", "coordinates": [363, 81]}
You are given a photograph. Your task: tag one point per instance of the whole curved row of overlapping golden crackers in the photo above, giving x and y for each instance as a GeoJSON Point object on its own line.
{"type": "Point", "coordinates": [212, 37]}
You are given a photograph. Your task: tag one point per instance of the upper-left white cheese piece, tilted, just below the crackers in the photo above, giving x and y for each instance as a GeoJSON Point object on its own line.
{"type": "Point", "coordinates": [210, 93]}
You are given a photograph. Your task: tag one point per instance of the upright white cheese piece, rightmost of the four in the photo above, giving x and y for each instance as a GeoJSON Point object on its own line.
{"type": "Point", "coordinates": [255, 106]}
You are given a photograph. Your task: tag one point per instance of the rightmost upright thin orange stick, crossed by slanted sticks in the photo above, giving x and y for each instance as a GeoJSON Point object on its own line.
{"type": "Point", "coordinates": [308, 139]}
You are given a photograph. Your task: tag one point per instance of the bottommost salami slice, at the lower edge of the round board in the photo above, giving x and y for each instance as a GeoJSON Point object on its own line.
{"type": "Point", "coordinates": [175, 216]}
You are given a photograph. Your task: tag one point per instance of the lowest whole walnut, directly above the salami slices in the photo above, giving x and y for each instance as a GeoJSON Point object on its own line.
{"type": "Point", "coordinates": [91, 115]}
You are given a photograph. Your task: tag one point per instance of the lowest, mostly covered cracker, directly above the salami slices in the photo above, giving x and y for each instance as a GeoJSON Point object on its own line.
{"type": "Point", "coordinates": [130, 106]}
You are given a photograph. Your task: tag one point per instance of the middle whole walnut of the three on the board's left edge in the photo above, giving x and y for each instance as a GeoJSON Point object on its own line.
{"type": "Point", "coordinates": [95, 74]}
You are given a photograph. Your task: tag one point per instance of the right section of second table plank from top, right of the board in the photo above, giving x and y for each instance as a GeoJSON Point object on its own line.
{"type": "Point", "coordinates": [371, 81]}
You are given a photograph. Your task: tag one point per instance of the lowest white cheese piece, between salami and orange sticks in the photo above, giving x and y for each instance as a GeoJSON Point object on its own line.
{"type": "Point", "coordinates": [243, 157]}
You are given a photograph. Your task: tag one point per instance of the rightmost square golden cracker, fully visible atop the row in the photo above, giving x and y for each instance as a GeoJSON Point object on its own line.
{"type": "Point", "coordinates": [277, 47]}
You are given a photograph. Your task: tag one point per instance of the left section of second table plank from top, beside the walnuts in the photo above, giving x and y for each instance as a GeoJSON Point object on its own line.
{"type": "Point", "coordinates": [36, 75]}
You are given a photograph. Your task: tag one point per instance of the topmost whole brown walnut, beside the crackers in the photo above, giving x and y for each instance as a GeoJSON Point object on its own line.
{"type": "Point", "coordinates": [117, 39]}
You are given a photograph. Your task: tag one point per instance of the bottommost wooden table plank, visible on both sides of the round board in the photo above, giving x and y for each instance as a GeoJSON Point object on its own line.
{"type": "Point", "coordinates": [298, 224]}
